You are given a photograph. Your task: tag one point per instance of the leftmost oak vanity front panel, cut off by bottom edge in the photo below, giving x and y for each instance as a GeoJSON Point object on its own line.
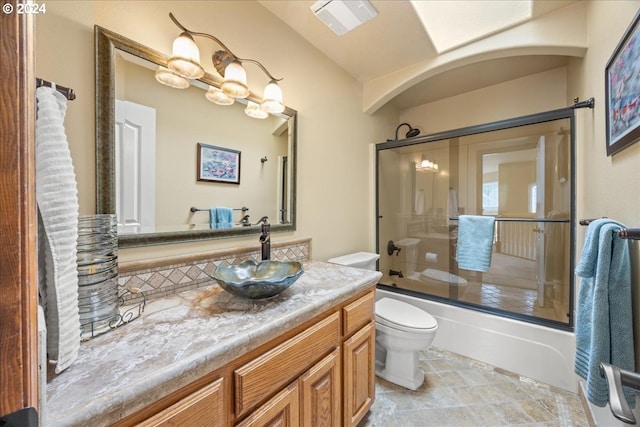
{"type": "Point", "coordinates": [204, 407]}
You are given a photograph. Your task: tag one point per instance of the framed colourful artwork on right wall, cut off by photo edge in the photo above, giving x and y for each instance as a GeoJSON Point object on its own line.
{"type": "Point", "coordinates": [622, 87]}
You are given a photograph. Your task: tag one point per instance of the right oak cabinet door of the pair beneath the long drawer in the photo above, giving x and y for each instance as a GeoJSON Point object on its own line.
{"type": "Point", "coordinates": [320, 389]}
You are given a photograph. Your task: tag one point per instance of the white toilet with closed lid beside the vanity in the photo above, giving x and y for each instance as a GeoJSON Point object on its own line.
{"type": "Point", "coordinates": [402, 331]}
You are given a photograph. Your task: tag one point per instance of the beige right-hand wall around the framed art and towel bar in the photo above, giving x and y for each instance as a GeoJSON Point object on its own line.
{"type": "Point", "coordinates": [606, 186]}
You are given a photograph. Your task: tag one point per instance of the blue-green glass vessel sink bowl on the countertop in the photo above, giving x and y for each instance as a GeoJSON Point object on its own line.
{"type": "Point", "coordinates": [258, 280]}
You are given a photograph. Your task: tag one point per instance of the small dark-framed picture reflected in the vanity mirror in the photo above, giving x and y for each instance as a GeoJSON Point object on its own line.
{"type": "Point", "coordinates": [218, 164]}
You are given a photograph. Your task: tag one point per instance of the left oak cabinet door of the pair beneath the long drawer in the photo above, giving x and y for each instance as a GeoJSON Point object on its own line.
{"type": "Point", "coordinates": [283, 410]}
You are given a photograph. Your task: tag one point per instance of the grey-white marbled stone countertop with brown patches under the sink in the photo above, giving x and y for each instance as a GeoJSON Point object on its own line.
{"type": "Point", "coordinates": [180, 338]}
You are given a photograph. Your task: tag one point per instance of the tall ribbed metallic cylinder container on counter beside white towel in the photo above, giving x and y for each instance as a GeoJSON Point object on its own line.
{"type": "Point", "coordinates": [97, 251]}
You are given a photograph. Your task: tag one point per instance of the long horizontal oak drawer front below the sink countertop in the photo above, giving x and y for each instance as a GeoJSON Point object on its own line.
{"type": "Point", "coordinates": [279, 366]}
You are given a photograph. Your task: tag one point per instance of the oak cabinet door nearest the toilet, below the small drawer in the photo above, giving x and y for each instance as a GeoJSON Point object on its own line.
{"type": "Point", "coordinates": [358, 374]}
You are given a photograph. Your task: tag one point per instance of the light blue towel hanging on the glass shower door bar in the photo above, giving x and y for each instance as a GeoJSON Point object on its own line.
{"type": "Point", "coordinates": [475, 242]}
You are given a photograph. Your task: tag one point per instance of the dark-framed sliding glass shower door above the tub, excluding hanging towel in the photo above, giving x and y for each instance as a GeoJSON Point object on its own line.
{"type": "Point", "coordinates": [520, 172]}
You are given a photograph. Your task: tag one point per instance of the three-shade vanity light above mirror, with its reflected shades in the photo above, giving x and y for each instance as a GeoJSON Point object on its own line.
{"type": "Point", "coordinates": [185, 62]}
